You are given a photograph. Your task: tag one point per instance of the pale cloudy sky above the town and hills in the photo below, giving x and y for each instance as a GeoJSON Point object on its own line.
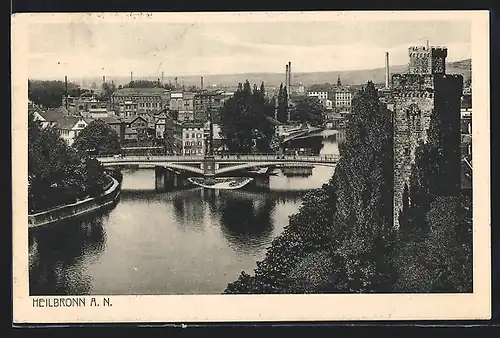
{"type": "Point", "coordinates": [83, 48]}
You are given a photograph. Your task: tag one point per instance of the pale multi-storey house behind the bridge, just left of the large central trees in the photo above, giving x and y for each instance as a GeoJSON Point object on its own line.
{"type": "Point", "coordinates": [189, 138]}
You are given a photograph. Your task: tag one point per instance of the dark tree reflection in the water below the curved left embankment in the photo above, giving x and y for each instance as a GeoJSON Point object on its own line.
{"type": "Point", "coordinates": [58, 252]}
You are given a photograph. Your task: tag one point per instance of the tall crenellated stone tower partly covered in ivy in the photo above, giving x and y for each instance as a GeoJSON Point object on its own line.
{"type": "Point", "coordinates": [414, 96]}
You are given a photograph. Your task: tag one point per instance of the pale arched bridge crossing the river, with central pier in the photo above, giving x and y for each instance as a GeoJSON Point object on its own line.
{"type": "Point", "coordinates": [218, 164]}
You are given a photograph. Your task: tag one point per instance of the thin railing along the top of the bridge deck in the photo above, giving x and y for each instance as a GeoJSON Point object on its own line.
{"type": "Point", "coordinates": [222, 158]}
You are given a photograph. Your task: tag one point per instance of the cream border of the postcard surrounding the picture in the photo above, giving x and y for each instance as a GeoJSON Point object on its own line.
{"type": "Point", "coordinates": [262, 307]}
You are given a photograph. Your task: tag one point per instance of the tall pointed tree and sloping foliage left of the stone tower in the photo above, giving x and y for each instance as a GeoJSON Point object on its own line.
{"type": "Point", "coordinates": [344, 227]}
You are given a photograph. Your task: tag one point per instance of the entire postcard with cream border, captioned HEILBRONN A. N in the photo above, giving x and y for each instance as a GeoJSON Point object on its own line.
{"type": "Point", "coordinates": [226, 154]}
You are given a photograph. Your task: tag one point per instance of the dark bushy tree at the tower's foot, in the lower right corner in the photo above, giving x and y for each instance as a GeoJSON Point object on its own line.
{"type": "Point", "coordinates": [439, 260]}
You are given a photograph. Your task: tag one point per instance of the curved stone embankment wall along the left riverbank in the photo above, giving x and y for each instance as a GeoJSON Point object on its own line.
{"type": "Point", "coordinates": [77, 209]}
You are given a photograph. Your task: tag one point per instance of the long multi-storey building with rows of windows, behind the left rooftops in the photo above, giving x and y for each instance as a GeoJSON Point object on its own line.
{"type": "Point", "coordinates": [127, 101]}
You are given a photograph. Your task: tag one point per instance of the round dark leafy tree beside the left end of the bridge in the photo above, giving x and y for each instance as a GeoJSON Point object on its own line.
{"type": "Point", "coordinates": [99, 137]}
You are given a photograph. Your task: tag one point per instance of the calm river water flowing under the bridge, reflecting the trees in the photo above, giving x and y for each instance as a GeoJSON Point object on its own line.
{"type": "Point", "coordinates": [192, 241]}
